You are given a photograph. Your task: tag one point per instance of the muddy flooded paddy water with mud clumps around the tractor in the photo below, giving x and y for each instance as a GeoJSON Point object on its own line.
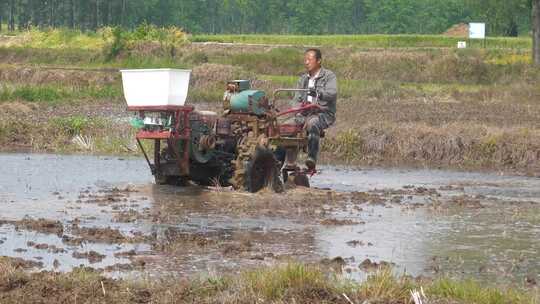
{"type": "Point", "coordinates": [426, 222]}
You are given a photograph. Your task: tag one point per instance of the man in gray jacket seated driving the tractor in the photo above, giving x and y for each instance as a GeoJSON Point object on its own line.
{"type": "Point", "coordinates": [322, 86]}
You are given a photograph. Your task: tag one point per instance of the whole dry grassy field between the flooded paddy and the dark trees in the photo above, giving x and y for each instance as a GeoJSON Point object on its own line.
{"type": "Point", "coordinates": [412, 104]}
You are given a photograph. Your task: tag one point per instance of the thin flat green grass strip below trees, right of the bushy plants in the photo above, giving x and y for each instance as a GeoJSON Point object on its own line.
{"type": "Point", "coordinates": [366, 41]}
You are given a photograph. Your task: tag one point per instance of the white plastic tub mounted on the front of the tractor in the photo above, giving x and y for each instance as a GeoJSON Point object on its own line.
{"type": "Point", "coordinates": [155, 87]}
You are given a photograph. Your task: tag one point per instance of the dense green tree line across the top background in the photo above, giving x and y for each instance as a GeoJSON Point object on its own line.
{"type": "Point", "coordinates": [503, 17]}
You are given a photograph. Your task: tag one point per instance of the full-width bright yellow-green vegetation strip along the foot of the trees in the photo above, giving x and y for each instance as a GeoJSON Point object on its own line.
{"type": "Point", "coordinates": [66, 38]}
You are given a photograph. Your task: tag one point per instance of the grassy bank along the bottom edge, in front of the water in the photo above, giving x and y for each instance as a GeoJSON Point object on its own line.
{"type": "Point", "coordinates": [292, 283]}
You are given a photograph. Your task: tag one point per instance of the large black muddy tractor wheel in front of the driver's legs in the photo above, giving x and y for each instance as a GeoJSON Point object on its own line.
{"type": "Point", "coordinates": [261, 171]}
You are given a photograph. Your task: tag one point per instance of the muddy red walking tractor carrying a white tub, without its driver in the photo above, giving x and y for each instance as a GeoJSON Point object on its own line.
{"type": "Point", "coordinates": [251, 145]}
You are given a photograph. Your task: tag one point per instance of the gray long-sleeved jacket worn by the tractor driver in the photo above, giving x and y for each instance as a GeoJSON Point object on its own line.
{"type": "Point", "coordinates": [326, 84]}
